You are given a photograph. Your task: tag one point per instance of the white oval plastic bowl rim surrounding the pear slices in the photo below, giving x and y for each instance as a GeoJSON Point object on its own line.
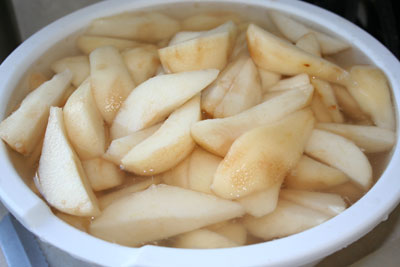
{"type": "Point", "coordinates": [303, 248]}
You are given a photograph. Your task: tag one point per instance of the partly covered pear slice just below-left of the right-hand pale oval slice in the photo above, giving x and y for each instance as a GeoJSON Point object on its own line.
{"type": "Point", "coordinates": [313, 175]}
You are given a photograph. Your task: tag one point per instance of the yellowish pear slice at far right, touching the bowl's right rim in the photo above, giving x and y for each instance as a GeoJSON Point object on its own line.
{"type": "Point", "coordinates": [369, 87]}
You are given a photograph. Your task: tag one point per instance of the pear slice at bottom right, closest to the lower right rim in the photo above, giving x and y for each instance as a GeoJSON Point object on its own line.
{"type": "Point", "coordinates": [288, 218]}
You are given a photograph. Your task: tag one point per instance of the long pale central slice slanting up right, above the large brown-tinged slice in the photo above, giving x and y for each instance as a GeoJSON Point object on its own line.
{"type": "Point", "coordinates": [217, 135]}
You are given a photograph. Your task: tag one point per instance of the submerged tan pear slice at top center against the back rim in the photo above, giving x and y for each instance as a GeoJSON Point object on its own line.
{"type": "Point", "coordinates": [207, 21]}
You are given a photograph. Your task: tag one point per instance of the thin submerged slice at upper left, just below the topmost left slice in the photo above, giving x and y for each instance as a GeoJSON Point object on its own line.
{"type": "Point", "coordinates": [88, 43]}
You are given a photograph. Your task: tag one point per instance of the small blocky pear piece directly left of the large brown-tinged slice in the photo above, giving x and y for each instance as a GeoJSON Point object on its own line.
{"type": "Point", "coordinates": [203, 166]}
